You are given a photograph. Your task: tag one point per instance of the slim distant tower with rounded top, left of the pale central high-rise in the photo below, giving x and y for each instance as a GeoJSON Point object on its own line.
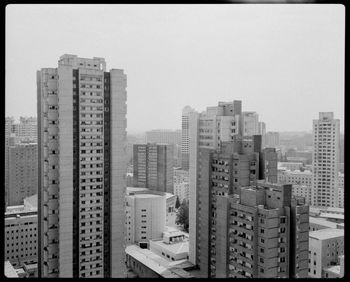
{"type": "Point", "coordinates": [185, 137]}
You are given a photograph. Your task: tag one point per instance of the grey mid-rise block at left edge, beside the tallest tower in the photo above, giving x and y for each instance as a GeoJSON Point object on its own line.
{"type": "Point", "coordinates": [22, 173]}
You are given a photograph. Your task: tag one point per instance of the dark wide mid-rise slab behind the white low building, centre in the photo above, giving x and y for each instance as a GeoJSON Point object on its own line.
{"type": "Point", "coordinates": [153, 166]}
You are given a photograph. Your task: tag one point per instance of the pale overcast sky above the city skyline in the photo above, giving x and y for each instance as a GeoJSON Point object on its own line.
{"type": "Point", "coordinates": [284, 61]}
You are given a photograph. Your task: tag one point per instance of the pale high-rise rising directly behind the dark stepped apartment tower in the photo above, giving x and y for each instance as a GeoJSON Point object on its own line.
{"type": "Point", "coordinates": [209, 129]}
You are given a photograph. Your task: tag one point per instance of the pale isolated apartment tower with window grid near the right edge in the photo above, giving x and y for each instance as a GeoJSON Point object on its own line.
{"type": "Point", "coordinates": [325, 160]}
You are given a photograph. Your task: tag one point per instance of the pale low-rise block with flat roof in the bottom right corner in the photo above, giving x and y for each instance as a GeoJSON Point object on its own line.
{"type": "Point", "coordinates": [325, 246]}
